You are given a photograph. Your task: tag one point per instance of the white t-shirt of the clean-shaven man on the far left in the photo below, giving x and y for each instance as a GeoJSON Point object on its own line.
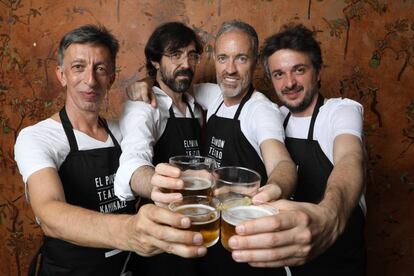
{"type": "Point", "coordinates": [45, 145]}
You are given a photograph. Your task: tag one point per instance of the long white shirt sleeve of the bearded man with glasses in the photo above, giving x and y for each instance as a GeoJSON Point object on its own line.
{"type": "Point", "coordinates": [138, 125]}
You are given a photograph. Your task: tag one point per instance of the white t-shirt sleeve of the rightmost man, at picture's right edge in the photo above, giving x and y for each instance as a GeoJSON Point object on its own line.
{"type": "Point", "coordinates": [347, 118]}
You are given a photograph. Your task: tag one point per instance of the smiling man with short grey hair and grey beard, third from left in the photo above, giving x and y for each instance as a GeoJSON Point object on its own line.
{"type": "Point", "coordinates": [244, 128]}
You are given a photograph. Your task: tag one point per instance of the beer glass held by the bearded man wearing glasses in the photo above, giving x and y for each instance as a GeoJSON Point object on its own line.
{"type": "Point", "coordinates": [196, 174]}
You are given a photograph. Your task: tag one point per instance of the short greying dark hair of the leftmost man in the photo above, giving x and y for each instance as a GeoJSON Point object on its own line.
{"type": "Point", "coordinates": [93, 34]}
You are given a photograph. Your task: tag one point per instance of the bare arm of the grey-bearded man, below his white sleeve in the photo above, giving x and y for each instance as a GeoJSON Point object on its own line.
{"type": "Point", "coordinates": [280, 169]}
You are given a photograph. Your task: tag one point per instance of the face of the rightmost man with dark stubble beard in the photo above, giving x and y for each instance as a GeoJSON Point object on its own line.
{"type": "Point", "coordinates": [295, 80]}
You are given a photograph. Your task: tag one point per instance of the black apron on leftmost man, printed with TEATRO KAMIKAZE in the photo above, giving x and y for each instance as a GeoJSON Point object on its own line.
{"type": "Point", "coordinates": [87, 177]}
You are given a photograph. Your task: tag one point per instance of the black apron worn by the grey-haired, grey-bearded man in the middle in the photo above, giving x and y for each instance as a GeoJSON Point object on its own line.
{"type": "Point", "coordinates": [227, 144]}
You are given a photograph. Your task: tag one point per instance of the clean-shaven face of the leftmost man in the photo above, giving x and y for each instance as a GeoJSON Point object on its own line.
{"type": "Point", "coordinates": [88, 73]}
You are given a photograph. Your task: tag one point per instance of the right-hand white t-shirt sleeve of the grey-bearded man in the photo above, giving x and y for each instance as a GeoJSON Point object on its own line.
{"type": "Point", "coordinates": [265, 121]}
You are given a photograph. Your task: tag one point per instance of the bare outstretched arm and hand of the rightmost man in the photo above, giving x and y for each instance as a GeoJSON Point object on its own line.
{"type": "Point", "coordinates": [303, 231]}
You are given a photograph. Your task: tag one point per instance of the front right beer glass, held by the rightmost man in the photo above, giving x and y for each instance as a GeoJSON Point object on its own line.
{"type": "Point", "coordinates": [238, 213]}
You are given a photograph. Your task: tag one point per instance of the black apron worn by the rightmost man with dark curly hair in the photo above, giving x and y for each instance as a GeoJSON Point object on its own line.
{"type": "Point", "coordinates": [347, 255]}
